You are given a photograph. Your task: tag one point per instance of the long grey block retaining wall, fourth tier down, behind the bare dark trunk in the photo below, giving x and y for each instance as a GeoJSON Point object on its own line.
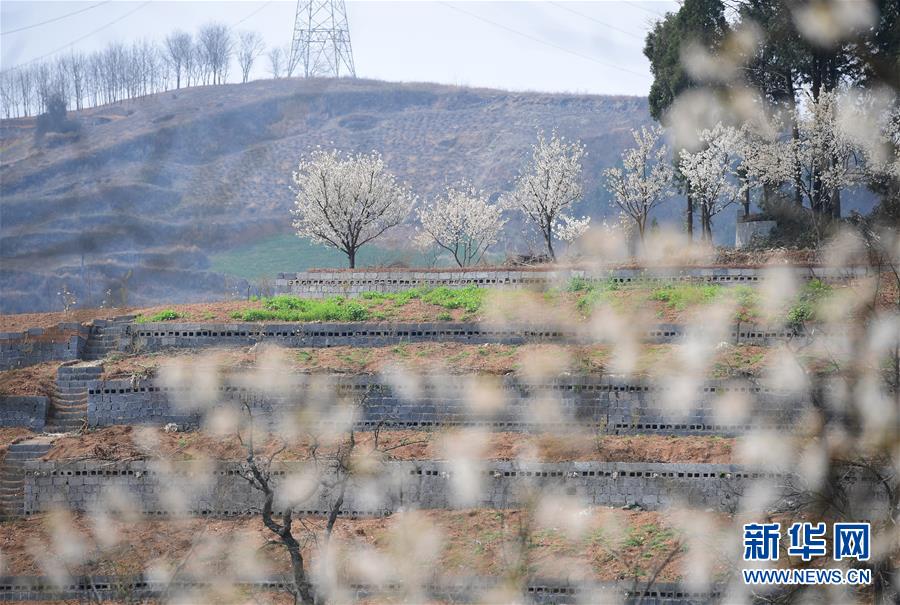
{"type": "Point", "coordinates": [185, 488]}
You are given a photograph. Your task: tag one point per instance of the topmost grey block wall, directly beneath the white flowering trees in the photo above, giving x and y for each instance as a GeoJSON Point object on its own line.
{"type": "Point", "coordinates": [322, 284]}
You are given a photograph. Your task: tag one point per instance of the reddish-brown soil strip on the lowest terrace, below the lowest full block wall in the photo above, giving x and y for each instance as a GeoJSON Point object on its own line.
{"type": "Point", "coordinates": [612, 544]}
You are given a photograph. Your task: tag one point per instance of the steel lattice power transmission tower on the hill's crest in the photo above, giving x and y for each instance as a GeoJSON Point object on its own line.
{"type": "Point", "coordinates": [321, 45]}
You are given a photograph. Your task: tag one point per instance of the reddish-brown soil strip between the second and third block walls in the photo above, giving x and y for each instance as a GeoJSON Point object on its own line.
{"type": "Point", "coordinates": [454, 358]}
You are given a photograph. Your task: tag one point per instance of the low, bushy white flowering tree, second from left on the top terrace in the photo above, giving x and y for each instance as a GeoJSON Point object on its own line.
{"type": "Point", "coordinates": [463, 222]}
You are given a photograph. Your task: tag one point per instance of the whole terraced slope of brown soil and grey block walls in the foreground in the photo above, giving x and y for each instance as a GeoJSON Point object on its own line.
{"type": "Point", "coordinates": [595, 441]}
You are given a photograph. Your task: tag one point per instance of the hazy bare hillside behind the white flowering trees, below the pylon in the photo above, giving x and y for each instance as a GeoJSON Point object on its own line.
{"type": "Point", "coordinates": [154, 193]}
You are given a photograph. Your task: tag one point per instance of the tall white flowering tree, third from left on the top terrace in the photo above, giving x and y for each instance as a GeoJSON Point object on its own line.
{"type": "Point", "coordinates": [548, 187]}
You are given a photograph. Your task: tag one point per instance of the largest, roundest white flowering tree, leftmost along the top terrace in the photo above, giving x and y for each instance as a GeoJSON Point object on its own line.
{"type": "Point", "coordinates": [346, 201]}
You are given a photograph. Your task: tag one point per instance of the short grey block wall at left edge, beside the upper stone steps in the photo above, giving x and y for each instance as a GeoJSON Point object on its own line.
{"type": "Point", "coordinates": [20, 349]}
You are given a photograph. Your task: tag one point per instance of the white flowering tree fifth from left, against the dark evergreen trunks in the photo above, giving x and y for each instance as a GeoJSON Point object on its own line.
{"type": "Point", "coordinates": [711, 173]}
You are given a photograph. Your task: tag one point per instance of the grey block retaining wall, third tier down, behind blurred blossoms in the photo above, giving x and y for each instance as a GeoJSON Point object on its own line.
{"type": "Point", "coordinates": [602, 403]}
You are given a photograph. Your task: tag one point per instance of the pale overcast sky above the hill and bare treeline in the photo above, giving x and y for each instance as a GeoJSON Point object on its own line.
{"type": "Point", "coordinates": [548, 46]}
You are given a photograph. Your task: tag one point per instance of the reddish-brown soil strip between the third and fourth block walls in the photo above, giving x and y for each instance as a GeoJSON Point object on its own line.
{"type": "Point", "coordinates": [126, 442]}
